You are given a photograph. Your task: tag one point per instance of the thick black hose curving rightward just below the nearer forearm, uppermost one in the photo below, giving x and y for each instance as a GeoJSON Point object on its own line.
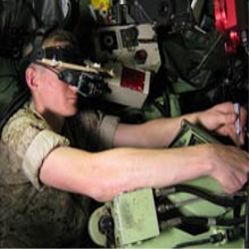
{"type": "Point", "coordinates": [216, 199]}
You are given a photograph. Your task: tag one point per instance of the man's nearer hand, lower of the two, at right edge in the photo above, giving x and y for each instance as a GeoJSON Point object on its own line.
{"type": "Point", "coordinates": [230, 166]}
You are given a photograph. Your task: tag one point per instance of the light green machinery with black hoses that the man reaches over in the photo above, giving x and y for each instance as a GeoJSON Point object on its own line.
{"type": "Point", "coordinates": [196, 213]}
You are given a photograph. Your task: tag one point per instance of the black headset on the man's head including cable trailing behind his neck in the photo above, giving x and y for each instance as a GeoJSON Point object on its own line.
{"type": "Point", "coordinates": [89, 83]}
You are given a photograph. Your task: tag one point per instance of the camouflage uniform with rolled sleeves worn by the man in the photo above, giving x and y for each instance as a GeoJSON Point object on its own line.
{"type": "Point", "coordinates": [31, 214]}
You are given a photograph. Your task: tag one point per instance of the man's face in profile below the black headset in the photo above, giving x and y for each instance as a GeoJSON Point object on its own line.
{"type": "Point", "coordinates": [55, 95]}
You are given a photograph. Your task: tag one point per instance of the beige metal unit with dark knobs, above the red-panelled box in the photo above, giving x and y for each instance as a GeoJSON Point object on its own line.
{"type": "Point", "coordinates": [132, 45]}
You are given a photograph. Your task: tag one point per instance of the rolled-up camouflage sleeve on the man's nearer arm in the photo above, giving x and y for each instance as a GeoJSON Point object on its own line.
{"type": "Point", "coordinates": [32, 141]}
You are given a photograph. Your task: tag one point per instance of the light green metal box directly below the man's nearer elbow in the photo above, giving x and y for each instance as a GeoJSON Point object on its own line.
{"type": "Point", "coordinates": [135, 217]}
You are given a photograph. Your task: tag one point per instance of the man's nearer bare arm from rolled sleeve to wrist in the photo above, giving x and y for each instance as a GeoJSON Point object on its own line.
{"type": "Point", "coordinates": [103, 175]}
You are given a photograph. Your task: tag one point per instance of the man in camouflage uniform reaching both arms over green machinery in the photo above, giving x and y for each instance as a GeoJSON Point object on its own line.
{"type": "Point", "coordinates": [62, 151]}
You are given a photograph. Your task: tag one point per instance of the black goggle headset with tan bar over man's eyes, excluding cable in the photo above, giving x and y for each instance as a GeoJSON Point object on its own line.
{"type": "Point", "coordinates": [89, 80]}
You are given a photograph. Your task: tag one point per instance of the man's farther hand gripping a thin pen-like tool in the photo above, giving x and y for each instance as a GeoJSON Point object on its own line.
{"type": "Point", "coordinates": [221, 119]}
